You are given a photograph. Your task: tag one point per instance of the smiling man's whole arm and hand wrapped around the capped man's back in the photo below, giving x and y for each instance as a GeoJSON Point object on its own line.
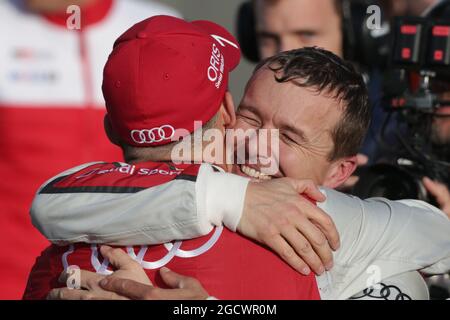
{"type": "Point", "coordinates": [115, 204]}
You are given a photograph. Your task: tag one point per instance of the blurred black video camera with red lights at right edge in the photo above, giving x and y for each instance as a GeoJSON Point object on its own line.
{"type": "Point", "coordinates": [420, 73]}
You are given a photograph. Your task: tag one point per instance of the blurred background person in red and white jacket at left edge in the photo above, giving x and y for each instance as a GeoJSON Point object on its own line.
{"type": "Point", "coordinates": [50, 104]}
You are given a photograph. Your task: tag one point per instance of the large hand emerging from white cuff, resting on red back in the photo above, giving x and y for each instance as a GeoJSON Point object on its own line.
{"type": "Point", "coordinates": [275, 214]}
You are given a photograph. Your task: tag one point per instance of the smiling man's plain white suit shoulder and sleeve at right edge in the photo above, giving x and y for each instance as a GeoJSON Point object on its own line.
{"type": "Point", "coordinates": [381, 239]}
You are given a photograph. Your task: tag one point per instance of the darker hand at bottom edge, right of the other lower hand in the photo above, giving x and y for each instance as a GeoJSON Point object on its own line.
{"type": "Point", "coordinates": [182, 288]}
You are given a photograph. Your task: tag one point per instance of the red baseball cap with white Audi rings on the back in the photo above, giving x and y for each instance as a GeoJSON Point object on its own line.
{"type": "Point", "coordinates": [163, 74]}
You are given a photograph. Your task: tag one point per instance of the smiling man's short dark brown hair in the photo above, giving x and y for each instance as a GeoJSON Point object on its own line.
{"type": "Point", "coordinates": [323, 71]}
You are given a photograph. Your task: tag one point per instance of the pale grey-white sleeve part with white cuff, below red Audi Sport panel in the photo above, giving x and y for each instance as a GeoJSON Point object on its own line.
{"type": "Point", "coordinates": [178, 209]}
